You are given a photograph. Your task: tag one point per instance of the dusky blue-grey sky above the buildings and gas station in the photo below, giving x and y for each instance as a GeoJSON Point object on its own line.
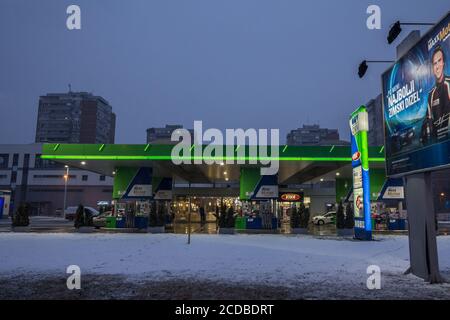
{"type": "Point", "coordinates": [231, 63]}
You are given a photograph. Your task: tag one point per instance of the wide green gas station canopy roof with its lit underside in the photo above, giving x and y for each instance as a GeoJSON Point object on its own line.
{"type": "Point", "coordinates": [297, 164]}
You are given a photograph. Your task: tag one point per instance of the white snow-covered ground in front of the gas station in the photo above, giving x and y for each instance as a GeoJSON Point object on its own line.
{"type": "Point", "coordinates": [323, 268]}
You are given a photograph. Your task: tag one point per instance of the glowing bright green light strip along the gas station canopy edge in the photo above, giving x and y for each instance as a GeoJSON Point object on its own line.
{"type": "Point", "coordinates": [92, 157]}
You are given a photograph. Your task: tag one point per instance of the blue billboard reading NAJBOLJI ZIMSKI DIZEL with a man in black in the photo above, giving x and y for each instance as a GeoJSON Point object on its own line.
{"type": "Point", "coordinates": [416, 105]}
